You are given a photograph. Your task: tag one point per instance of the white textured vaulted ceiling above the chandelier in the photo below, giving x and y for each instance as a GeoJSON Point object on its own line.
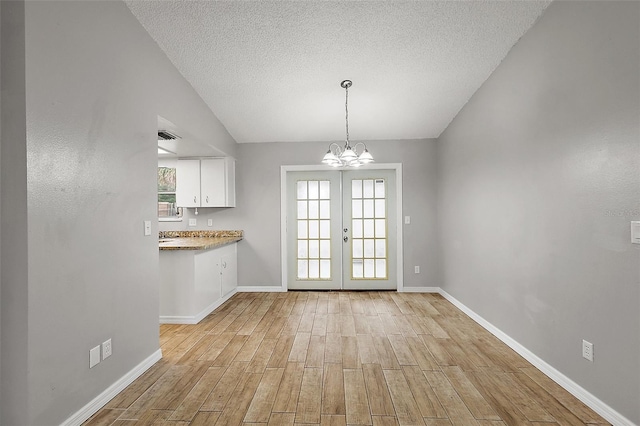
{"type": "Point", "coordinates": [271, 71]}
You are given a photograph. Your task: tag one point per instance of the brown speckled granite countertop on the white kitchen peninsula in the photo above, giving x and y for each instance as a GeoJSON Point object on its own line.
{"type": "Point", "coordinates": [196, 240]}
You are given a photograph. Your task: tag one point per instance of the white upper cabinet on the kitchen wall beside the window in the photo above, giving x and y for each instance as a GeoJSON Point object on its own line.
{"type": "Point", "coordinates": [209, 182]}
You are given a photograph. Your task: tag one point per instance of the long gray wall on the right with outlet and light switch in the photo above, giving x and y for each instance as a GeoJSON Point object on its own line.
{"type": "Point", "coordinates": [539, 176]}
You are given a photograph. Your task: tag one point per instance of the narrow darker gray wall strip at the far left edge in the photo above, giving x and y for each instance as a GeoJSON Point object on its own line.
{"type": "Point", "coordinates": [13, 223]}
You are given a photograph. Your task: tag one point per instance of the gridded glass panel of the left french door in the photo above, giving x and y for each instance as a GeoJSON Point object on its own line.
{"type": "Point", "coordinates": [313, 235]}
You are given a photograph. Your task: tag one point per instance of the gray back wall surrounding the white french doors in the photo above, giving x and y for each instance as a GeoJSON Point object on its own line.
{"type": "Point", "coordinates": [258, 206]}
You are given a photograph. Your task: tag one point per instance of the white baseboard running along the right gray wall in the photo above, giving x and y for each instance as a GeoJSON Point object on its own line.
{"type": "Point", "coordinates": [572, 387]}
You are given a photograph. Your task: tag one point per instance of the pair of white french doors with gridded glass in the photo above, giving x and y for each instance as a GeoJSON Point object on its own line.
{"type": "Point", "coordinates": [341, 230]}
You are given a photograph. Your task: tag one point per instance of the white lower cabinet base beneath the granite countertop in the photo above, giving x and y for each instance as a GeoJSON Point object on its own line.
{"type": "Point", "coordinates": [193, 283]}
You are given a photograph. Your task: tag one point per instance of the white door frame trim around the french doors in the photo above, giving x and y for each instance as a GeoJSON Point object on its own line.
{"type": "Point", "coordinates": [283, 212]}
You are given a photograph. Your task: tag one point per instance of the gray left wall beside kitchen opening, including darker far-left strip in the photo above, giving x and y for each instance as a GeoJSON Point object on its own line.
{"type": "Point", "coordinates": [78, 180]}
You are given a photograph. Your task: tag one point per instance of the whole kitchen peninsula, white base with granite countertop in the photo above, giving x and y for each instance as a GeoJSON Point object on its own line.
{"type": "Point", "coordinates": [198, 272]}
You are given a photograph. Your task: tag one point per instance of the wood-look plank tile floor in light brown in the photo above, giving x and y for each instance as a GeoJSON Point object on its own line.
{"type": "Point", "coordinates": [340, 358]}
